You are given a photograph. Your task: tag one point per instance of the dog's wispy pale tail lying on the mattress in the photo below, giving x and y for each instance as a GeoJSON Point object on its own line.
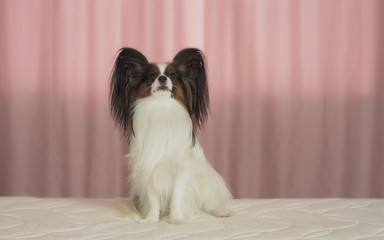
{"type": "Point", "coordinates": [125, 208]}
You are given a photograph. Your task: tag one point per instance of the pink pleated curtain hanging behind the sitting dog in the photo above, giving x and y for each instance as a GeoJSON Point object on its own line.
{"type": "Point", "coordinates": [297, 93]}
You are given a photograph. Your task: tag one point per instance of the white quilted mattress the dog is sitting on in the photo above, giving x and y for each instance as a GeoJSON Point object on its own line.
{"type": "Point", "coordinates": [39, 218]}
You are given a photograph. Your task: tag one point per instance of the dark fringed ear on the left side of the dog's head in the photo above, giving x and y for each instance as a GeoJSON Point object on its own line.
{"type": "Point", "coordinates": [126, 77]}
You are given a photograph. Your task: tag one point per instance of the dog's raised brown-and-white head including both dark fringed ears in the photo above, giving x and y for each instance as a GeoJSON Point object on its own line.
{"type": "Point", "coordinates": [183, 79]}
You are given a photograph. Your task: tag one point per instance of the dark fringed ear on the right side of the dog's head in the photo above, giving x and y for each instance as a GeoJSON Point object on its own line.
{"type": "Point", "coordinates": [190, 63]}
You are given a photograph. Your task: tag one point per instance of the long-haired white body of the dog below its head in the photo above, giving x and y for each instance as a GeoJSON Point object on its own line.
{"type": "Point", "coordinates": [168, 174]}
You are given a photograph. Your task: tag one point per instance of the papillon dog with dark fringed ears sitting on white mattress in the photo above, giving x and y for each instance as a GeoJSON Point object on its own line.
{"type": "Point", "coordinates": [159, 107]}
